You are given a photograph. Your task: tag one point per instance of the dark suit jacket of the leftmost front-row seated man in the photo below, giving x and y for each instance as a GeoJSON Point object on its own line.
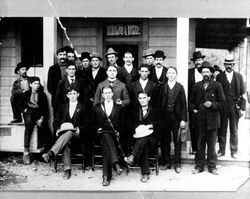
{"type": "Point", "coordinates": [80, 117]}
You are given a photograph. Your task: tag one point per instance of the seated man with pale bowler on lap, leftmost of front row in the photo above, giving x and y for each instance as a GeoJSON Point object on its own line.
{"type": "Point", "coordinates": [71, 114]}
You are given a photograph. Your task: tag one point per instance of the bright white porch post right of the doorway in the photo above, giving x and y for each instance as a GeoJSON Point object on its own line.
{"type": "Point", "coordinates": [182, 58]}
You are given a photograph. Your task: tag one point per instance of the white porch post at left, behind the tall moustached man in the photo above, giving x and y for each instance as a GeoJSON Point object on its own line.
{"type": "Point", "coordinates": [49, 49]}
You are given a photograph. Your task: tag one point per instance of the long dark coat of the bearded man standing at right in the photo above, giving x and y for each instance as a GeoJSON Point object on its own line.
{"type": "Point", "coordinates": [213, 93]}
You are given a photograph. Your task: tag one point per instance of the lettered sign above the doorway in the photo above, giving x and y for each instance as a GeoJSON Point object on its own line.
{"type": "Point", "coordinates": [123, 30]}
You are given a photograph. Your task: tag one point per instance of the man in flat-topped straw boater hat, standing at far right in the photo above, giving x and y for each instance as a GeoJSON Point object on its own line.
{"type": "Point", "coordinates": [233, 86]}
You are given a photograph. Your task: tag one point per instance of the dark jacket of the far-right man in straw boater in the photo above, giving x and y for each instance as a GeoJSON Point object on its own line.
{"type": "Point", "coordinates": [240, 89]}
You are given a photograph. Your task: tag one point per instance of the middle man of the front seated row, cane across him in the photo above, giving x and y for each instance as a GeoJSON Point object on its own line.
{"type": "Point", "coordinates": [106, 117]}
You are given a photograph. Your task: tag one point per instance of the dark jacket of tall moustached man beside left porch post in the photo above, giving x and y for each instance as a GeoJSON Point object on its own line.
{"type": "Point", "coordinates": [54, 76]}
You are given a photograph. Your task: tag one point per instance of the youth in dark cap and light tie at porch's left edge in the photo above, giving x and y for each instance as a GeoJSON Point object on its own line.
{"type": "Point", "coordinates": [34, 106]}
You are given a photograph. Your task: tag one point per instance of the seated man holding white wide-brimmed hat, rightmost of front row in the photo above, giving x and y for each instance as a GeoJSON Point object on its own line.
{"type": "Point", "coordinates": [147, 135]}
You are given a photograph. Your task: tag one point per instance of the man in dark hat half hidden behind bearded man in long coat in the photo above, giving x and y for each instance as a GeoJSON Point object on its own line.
{"type": "Point", "coordinates": [194, 76]}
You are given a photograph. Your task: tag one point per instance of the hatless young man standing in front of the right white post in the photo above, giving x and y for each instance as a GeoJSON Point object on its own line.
{"type": "Point", "coordinates": [174, 113]}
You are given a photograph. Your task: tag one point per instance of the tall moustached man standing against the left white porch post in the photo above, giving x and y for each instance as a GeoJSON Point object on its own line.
{"type": "Point", "coordinates": [55, 74]}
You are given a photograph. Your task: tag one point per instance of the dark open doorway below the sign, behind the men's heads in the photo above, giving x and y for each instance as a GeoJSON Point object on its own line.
{"type": "Point", "coordinates": [121, 49]}
